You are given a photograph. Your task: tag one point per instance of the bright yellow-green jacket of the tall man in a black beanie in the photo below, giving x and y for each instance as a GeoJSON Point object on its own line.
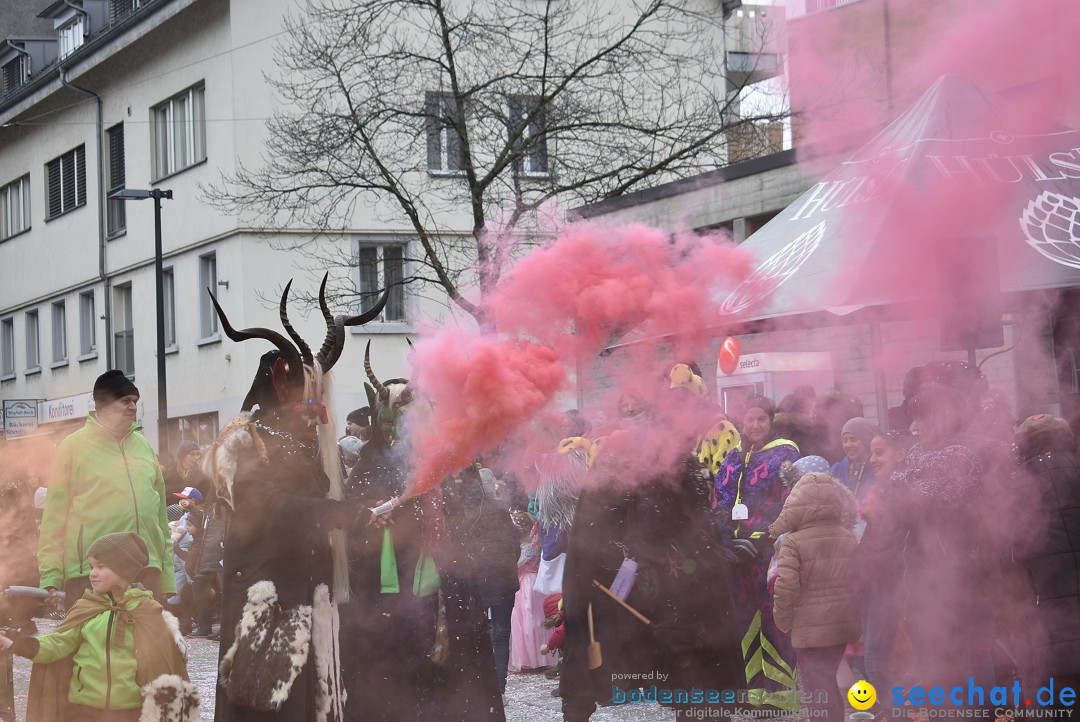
{"type": "Point", "coordinates": [103, 485]}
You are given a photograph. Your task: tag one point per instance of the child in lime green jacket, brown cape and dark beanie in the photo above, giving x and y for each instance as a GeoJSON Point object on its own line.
{"type": "Point", "coordinates": [123, 653]}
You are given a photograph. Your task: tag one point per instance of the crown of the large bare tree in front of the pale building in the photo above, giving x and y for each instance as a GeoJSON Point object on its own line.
{"type": "Point", "coordinates": [455, 121]}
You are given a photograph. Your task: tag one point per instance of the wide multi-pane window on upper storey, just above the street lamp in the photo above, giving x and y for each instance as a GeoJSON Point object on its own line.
{"type": "Point", "coordinates": [180, 132]}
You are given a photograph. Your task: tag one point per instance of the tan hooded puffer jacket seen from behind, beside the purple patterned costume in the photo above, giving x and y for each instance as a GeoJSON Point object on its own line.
{"type": "Point", "coordinates": [813, 598]}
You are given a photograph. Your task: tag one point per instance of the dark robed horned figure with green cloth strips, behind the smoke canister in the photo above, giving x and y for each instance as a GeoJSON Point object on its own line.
{"type": "Point", "coordinates": [414, 644]}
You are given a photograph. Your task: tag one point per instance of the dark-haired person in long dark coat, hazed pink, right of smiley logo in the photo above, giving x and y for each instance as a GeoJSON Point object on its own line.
{"type": "Point", "coordinates": [938, 506]}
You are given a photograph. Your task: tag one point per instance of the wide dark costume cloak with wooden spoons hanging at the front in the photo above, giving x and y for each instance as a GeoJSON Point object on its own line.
{"type": "Point", "coordinates": [661, 530]}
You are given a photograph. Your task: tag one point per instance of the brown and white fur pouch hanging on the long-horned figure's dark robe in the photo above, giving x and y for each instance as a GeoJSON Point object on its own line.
{"type": "Point", "coordinates": [271, 650]}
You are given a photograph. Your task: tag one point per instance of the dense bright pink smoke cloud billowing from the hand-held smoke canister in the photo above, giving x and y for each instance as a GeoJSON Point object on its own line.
{"type": "Point", "coordinates": [552, 317]}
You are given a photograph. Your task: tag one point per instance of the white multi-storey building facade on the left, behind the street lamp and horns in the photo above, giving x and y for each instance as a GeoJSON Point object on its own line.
{"type": "Point", "coordinates": [168, 94]}
